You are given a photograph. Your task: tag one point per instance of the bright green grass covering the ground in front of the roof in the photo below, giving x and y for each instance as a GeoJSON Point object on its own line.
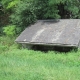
{"type": "Point", "coordinates": [23, 64]}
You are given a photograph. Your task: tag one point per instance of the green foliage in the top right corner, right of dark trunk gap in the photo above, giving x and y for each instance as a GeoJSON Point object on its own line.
{"type": "Point", "coordinates": [73, 6]}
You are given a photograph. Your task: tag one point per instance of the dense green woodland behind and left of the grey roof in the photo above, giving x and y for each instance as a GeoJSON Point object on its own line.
{"type": "Point", "coordinates": [16, 15]}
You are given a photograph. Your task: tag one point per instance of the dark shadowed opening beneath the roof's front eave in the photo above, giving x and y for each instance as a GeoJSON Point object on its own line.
{"type": "Point", "coordinates": [53, 48]}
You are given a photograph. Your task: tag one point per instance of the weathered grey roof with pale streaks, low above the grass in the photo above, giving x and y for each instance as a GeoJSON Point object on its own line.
{"type": "Point", "coordinates": [63, 32]}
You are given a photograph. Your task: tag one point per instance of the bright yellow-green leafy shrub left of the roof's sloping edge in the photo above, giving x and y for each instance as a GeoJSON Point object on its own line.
{"type": "Point", "coordinates": [10, 30]}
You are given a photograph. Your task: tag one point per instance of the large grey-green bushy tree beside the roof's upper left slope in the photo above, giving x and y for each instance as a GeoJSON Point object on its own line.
{"type": "Point", "coordinates": [24, 14]}
